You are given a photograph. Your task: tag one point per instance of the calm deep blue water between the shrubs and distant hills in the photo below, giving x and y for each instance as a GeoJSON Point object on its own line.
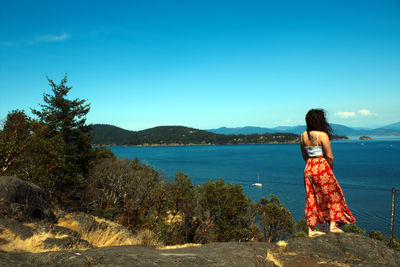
{"type": "Point", "coordinates": [366, 170]}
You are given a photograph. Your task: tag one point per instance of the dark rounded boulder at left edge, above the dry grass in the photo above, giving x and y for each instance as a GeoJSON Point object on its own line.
{"type": "Point", "coordinates": [23, 201]}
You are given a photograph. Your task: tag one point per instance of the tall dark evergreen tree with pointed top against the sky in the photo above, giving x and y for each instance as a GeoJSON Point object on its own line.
{"type": "Point", "coordinates": [64, 121]}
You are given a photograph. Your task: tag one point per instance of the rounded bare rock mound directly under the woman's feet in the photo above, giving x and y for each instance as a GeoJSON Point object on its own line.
{"type": "Point", "coordinates": [334, 250]}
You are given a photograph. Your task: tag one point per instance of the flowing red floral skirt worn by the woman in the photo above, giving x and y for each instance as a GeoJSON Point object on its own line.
{"type": "Point", "coordinates": [325, 200]}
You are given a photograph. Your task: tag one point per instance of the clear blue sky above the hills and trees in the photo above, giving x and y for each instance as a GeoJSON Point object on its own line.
{"type": "Point", "coordinates": [206, 63]}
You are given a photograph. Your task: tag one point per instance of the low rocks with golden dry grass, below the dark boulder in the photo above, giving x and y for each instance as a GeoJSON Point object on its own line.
{"type": "Point", "coordinates": [71, 231]}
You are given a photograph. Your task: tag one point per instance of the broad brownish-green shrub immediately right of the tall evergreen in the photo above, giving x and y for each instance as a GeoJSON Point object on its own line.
{"type": "Point", "coordinates": [130, 189]}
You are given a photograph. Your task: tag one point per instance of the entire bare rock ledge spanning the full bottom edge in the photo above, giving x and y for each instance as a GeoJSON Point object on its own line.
{"type": "Point", "coordinates": [328, 250]}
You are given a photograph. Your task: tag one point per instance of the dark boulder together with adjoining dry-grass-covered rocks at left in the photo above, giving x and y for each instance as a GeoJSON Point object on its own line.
{"type": "Point", "coordinates": [27, 223]}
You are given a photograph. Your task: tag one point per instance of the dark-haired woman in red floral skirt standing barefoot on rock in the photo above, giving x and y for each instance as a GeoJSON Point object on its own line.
{"type": "Point", "coordinates": [325, 201]}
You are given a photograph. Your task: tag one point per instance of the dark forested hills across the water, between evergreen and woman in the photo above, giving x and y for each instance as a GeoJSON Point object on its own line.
{"type": "Point", "coordinates": [180, 135]}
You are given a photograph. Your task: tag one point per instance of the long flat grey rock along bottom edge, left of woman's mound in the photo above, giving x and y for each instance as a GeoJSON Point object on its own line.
{"type": "Point", "coordinates": [214, 254]}
